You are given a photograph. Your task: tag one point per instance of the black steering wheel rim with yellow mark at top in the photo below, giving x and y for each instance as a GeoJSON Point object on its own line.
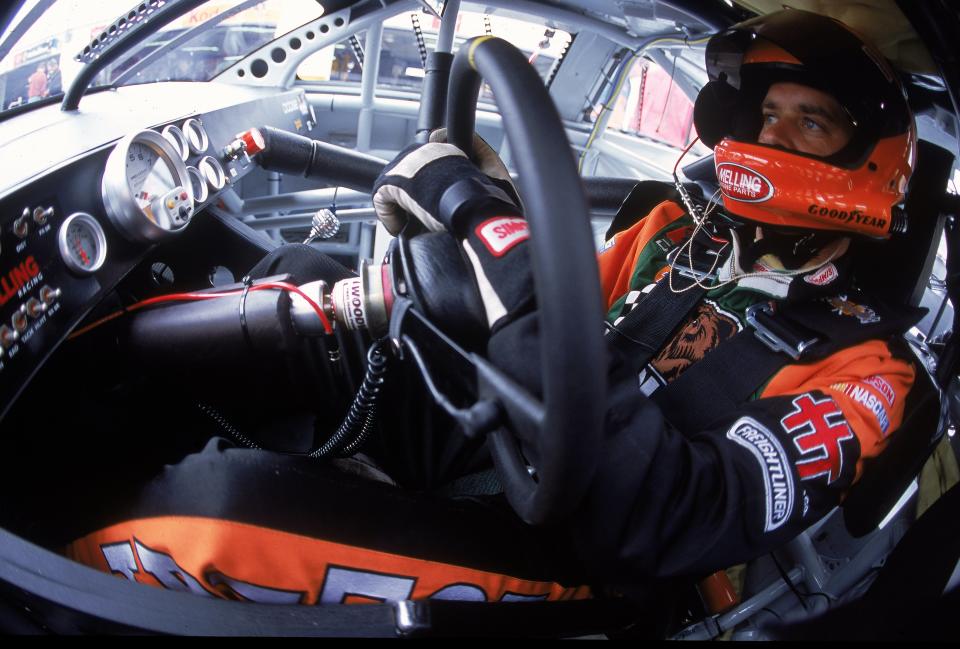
{"type": "Point", "coordinates": [565, 277]}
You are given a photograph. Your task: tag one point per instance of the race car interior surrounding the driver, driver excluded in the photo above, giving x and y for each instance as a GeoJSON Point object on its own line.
{"type": "Point", "coordinates": [273, 119]}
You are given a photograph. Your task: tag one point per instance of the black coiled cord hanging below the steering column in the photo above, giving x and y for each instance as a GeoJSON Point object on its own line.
{"type": "Point", "coordinates": [362, 415]}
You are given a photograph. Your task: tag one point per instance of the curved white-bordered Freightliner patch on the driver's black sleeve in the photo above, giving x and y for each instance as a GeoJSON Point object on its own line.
{"type": "Point", "coordinates": [777, 478]}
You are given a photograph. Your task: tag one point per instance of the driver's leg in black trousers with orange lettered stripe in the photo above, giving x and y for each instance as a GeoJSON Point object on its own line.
{"type": "Point", "coordinates": [273, 528]}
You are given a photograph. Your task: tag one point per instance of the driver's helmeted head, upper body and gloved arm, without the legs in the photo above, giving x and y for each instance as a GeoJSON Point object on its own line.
{"type": "Point", "coordinates": [814, 144]}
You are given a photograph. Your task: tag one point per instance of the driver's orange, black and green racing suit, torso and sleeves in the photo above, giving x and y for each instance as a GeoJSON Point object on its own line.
{"type": "Point", "coordinates": [670, 501]}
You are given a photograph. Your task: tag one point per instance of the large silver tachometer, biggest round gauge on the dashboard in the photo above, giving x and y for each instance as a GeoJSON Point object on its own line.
{"type": "Point", "coordinates": [146, 189]}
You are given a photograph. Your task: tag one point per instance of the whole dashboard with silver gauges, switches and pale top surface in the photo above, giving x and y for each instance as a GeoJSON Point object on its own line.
{"type": "Point", "coordinates": [76, 220]}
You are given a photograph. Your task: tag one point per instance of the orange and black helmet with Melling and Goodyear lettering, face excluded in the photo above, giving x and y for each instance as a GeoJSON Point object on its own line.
{"type": "Point", "coordinates": [856, 190]}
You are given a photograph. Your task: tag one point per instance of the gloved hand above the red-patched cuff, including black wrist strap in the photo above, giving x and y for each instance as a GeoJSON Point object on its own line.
{"type": "Point", "coordinates": [438, 185]}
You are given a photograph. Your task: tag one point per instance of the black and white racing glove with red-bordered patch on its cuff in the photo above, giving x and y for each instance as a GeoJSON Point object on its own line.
{"type": "Point", "coordinates": [438, 185]}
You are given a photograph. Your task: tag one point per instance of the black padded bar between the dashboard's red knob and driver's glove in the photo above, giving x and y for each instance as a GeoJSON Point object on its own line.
{"type": "Point", "coordinates": [291, 153]}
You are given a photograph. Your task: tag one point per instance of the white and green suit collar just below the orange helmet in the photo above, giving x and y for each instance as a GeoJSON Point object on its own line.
{"type": "Point", "coordinates": [768, 276]}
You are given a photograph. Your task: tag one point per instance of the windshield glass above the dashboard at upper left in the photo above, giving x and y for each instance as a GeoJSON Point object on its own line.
{"type": "Point", "coordinates": [202, 43]}
